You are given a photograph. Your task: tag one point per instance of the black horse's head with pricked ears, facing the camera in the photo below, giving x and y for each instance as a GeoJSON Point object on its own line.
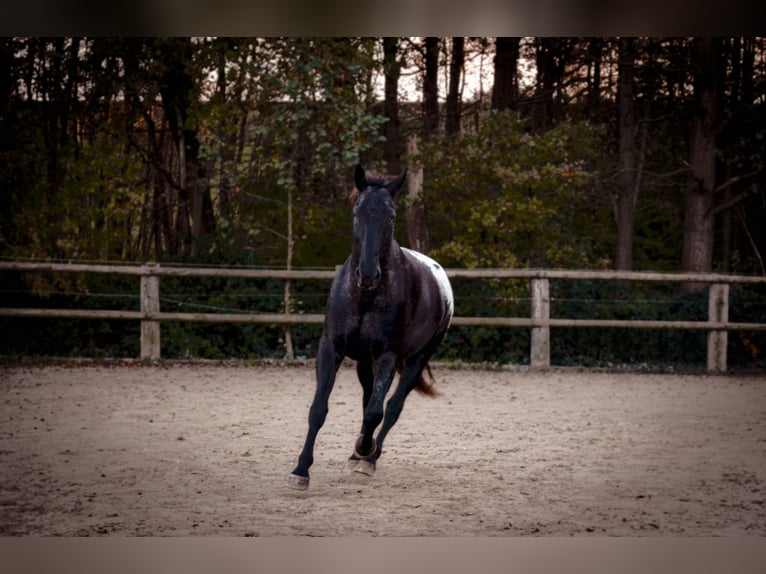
{"type": "Point", "coordinates": [374, 216]}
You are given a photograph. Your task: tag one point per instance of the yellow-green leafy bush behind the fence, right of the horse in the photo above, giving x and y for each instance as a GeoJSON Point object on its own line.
{"type": "Point", "coordinates": [504, 197]}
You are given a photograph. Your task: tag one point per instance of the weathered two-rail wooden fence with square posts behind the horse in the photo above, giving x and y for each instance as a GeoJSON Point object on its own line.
{"type": "Point", "coordinates": [539, 322]}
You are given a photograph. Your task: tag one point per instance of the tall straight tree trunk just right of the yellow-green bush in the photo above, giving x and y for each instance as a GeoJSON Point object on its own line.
{"type": "Point", "coordinates": [627, 190]}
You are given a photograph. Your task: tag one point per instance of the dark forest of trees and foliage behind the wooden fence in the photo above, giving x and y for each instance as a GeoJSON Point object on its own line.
{"type": "Point", "coordinates": [597, 152]}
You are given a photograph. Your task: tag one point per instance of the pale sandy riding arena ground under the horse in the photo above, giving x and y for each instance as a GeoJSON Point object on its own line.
{"type": "Point", "coordinates": [180, 449]}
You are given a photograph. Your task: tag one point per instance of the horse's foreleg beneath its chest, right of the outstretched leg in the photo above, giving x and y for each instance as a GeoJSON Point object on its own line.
{"type": "Point", "coordinates": [366, 448]}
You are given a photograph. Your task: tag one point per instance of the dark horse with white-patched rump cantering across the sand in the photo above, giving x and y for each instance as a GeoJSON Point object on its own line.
{"type": "Point", "coordinates": [388, 309]}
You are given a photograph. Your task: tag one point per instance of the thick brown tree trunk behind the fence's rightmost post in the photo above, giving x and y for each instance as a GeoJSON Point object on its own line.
{"type": "Point", "coordinates": [697, 253]}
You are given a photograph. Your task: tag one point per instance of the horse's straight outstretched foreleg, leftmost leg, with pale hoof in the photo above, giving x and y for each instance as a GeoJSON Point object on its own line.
{"type": "Point", "coordinates": [328, 362]}
